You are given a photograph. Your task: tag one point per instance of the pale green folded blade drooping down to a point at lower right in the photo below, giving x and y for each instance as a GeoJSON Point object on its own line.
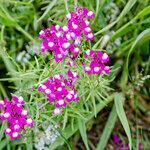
{"type": "Point", "coordinates": [119, 98]}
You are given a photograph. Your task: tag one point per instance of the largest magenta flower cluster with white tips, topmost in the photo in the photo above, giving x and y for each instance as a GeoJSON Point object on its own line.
{"type": "Point", "coordinates": [64, 41]}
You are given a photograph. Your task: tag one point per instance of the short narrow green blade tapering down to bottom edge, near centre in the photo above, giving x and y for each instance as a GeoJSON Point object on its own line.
{"type": "Point", "coordinates": [82, 129]}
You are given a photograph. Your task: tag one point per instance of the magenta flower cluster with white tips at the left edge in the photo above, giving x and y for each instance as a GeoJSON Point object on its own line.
{"type": "Point", "coordinates": [16, 116]}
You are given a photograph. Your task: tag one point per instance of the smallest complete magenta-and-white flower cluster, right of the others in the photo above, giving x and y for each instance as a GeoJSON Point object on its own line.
{"type": "Point", "coordinates": [97, 64]}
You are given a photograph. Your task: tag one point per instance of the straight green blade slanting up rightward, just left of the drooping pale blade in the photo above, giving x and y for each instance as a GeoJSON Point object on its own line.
{"type": "Point", "coordinates": [108, 129]}
